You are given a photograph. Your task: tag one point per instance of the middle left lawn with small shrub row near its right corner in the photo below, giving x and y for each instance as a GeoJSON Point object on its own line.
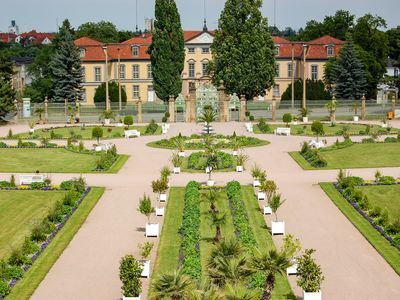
{"type": "Point", "coordinates": [50, 160]}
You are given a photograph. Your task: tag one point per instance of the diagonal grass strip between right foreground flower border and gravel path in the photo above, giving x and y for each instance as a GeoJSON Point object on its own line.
{"type": "Point", "coordinates": [388, 252]}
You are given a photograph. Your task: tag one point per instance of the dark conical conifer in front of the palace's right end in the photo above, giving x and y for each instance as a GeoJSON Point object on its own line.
{"type": "Point", "coordinates": [348, 74]}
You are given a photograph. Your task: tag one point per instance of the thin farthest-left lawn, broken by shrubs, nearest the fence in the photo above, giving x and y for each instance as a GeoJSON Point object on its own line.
{"type": "Point", "coordinates": [85, 134]}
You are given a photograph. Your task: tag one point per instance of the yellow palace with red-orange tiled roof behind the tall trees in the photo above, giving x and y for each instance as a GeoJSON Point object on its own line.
{"type": "Point", "coordinates": [129, 63]}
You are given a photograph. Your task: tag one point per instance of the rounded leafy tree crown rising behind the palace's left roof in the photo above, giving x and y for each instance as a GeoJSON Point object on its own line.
{"type": "Point", "coordinates": [102, 31]}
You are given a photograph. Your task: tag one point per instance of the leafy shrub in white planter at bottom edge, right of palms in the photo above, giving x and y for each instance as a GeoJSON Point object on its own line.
{"type": "Point", "coordinates": [309, 276]}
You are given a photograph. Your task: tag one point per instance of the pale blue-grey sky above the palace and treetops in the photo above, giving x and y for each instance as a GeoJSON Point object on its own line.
{"type": "Point", "coordinates": [44, 15]}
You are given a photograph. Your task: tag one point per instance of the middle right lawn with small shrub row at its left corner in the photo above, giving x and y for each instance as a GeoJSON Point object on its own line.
{"type": "Point", "coordinates": [376, 155]}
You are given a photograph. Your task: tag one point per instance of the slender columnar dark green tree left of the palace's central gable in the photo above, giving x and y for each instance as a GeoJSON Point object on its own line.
{"type": "Point", "coordinates": [167, 50]}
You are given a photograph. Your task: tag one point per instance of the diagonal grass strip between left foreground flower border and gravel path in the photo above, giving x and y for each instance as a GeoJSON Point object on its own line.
{"type": "Point", "coordinates": [31, 280]}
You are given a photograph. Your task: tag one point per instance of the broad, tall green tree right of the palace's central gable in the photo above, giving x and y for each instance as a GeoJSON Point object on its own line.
{"type": "Point", "coordinates": [243, 50]}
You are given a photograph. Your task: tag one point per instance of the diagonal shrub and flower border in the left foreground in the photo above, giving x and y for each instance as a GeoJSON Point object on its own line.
{"type": "Point", "coordinates": [41, 235]}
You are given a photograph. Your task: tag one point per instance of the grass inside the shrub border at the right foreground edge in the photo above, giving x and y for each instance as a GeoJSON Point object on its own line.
{"type": "Point", "coordinates": [384, 196]}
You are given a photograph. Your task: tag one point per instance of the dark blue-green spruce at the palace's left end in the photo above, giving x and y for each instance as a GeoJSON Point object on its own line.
{"type": "Point", "coordinates": [66, 67]}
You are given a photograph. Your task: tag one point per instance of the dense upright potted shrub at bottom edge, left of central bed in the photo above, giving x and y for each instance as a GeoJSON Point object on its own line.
{"type": "Point", "coordinates": [130, 271]}
